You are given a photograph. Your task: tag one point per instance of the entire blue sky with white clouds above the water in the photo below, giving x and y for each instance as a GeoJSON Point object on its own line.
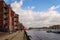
{"type": "Point", "coordinates": [37, 13]}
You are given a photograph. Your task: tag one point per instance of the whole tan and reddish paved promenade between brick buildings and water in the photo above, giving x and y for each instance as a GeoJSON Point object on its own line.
{"type": "Point", "coordinates": [19, 35]}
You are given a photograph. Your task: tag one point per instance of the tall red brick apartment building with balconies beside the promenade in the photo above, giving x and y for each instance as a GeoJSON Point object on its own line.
{"type": "Point", "coordinates": [8, 19]}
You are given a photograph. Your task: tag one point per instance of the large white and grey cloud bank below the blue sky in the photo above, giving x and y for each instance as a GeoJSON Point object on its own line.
{"type": "Point", "coordinates": [30, 18]}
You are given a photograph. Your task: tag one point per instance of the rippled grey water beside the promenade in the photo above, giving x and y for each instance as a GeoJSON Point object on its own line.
{"type": "Point", "coordinates": [42, 35]}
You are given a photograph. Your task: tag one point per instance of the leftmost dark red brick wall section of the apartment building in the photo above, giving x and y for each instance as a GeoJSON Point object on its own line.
{"type": "Point", "coordinates": [2, 6]}
